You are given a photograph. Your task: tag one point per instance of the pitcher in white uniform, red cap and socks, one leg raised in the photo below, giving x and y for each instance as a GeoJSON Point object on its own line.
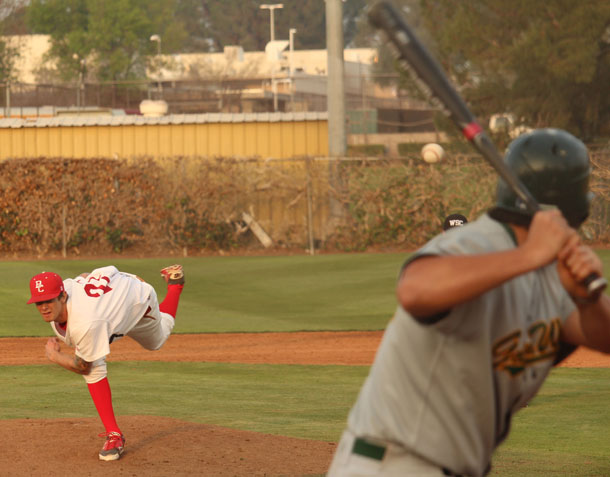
{"type": "Point", "coordinates": [92, 311]}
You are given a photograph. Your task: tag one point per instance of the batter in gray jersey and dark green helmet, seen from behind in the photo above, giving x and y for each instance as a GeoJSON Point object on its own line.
{"type": "Point", "coordinates": [483, 314]}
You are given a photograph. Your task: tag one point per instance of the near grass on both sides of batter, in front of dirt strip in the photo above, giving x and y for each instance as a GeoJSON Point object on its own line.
{"type": "Point", "coordinates": [563, 432]}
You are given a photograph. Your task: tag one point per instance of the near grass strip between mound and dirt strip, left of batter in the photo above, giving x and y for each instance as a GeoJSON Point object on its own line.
{"type": "Point", "coordinates": [292, 400]}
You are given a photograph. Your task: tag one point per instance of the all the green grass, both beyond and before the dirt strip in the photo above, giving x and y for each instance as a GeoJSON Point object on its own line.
{"type": "Point", "coordinates": [564, 431]}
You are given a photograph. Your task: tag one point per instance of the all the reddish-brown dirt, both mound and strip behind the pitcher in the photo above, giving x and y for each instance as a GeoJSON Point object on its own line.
{"type": "Point", "coordinates": [159, 446]}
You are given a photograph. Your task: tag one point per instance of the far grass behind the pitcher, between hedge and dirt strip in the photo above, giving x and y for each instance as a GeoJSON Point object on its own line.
{"type": "Point", "coordinates": [252, 294]}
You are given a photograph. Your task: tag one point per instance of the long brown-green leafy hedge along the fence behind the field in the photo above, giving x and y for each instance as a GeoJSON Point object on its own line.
{"type": "Point", "coordinates": [178, 205]}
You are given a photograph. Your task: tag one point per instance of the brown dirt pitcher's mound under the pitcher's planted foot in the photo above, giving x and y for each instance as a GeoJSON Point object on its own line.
{"type": "Point", "coordinates": [156, 446]}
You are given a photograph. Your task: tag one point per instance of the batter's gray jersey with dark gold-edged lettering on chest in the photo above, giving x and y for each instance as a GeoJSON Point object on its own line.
{"type": "Point", "coordinates": [447, 390]}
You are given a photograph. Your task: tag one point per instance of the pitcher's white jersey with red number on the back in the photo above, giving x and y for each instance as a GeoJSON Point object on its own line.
{"type": "Point", "coordinates": [102, 307]}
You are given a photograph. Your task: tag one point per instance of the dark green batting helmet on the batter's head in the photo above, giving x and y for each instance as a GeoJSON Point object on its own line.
{"type": "Point", "coordinates": [554, 166]}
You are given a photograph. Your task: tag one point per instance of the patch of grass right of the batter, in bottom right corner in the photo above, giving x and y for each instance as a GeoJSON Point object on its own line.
{"type": "Point", "coordinates": [563, 431]}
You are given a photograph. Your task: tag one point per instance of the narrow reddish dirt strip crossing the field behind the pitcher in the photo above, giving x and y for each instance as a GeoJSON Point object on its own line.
{"type": "Point", "coordinates": [326, 347]}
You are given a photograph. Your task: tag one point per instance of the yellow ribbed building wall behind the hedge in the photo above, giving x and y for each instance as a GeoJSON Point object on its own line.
{"type": "Point", "coordinates": [281, 140]}
